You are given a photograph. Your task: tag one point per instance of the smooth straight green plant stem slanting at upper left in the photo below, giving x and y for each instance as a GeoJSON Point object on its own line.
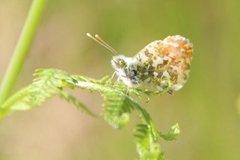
{"type": "Point", "coordinates": [22, 48]}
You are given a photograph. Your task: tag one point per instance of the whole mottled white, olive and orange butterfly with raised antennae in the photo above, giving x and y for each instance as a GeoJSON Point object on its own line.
{"type": "Point", "coordinates": [162, 65]}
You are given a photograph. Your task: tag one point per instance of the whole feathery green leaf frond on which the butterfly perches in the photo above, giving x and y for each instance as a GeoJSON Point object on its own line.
{"type": "Point", "coordinates": [118, 104]}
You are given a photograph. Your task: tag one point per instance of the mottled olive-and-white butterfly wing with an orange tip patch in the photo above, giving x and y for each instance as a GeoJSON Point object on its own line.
{"type": "Point", "coordinates": [166, 62]}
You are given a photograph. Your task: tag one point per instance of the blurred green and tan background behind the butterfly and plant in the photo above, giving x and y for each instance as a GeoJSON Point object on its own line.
{"type": "Point", "coordinates": [207, 108]}
